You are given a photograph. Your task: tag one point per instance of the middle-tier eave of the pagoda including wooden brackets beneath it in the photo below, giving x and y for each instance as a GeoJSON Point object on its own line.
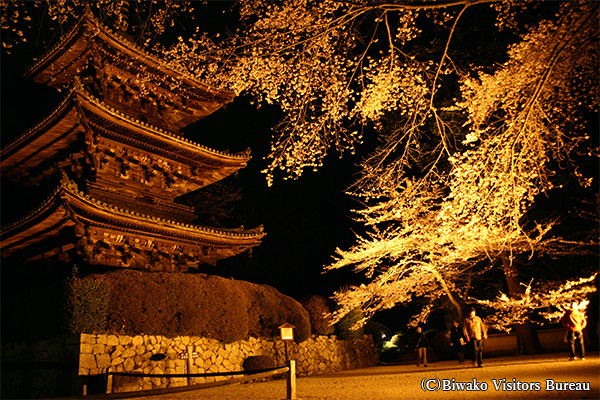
{"type": "Point", "coordinates": [84, 130]}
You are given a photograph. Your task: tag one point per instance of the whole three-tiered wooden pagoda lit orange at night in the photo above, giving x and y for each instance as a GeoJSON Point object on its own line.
{"type": "Point", "coordinates": [115, 148]}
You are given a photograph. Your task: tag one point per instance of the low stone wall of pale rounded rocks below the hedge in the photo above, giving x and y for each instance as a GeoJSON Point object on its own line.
{"type": "Point", "coordinates": [122, 353]}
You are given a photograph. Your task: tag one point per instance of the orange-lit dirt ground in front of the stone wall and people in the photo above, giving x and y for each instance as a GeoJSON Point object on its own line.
{"type": "Point", "coordinates": [525, 377]}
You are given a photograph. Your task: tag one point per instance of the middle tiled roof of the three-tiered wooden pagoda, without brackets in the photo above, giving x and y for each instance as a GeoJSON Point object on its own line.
{"type": "Point", "coordinates": [81, 119]}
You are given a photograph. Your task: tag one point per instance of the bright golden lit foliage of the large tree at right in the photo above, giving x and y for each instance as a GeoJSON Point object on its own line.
{"type": "Point", "coordinates": [524, 118]}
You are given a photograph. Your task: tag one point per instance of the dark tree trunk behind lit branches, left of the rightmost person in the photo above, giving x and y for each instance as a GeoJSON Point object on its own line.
{"type": "Point", "coordinates": [527, 338]}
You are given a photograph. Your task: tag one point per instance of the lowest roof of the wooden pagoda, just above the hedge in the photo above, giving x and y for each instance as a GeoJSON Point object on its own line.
{"type": "Point", "coordinates": [153, 243]}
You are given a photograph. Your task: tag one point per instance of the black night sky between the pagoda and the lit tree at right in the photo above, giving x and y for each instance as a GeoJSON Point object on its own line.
{"type": "Point", "coordinates": [305, 219]}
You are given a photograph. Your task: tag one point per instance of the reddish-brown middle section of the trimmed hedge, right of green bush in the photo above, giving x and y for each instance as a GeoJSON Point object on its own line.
{"type": "Point", "coordinates": [177, 304]}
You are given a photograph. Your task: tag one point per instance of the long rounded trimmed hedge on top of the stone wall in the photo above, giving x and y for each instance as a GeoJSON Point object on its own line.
{"type": "Point", "coordinates": [187, 304]}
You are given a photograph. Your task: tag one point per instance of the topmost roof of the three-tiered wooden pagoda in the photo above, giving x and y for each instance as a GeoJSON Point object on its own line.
{"type": "Point", "coordinates": [90, 43]}
